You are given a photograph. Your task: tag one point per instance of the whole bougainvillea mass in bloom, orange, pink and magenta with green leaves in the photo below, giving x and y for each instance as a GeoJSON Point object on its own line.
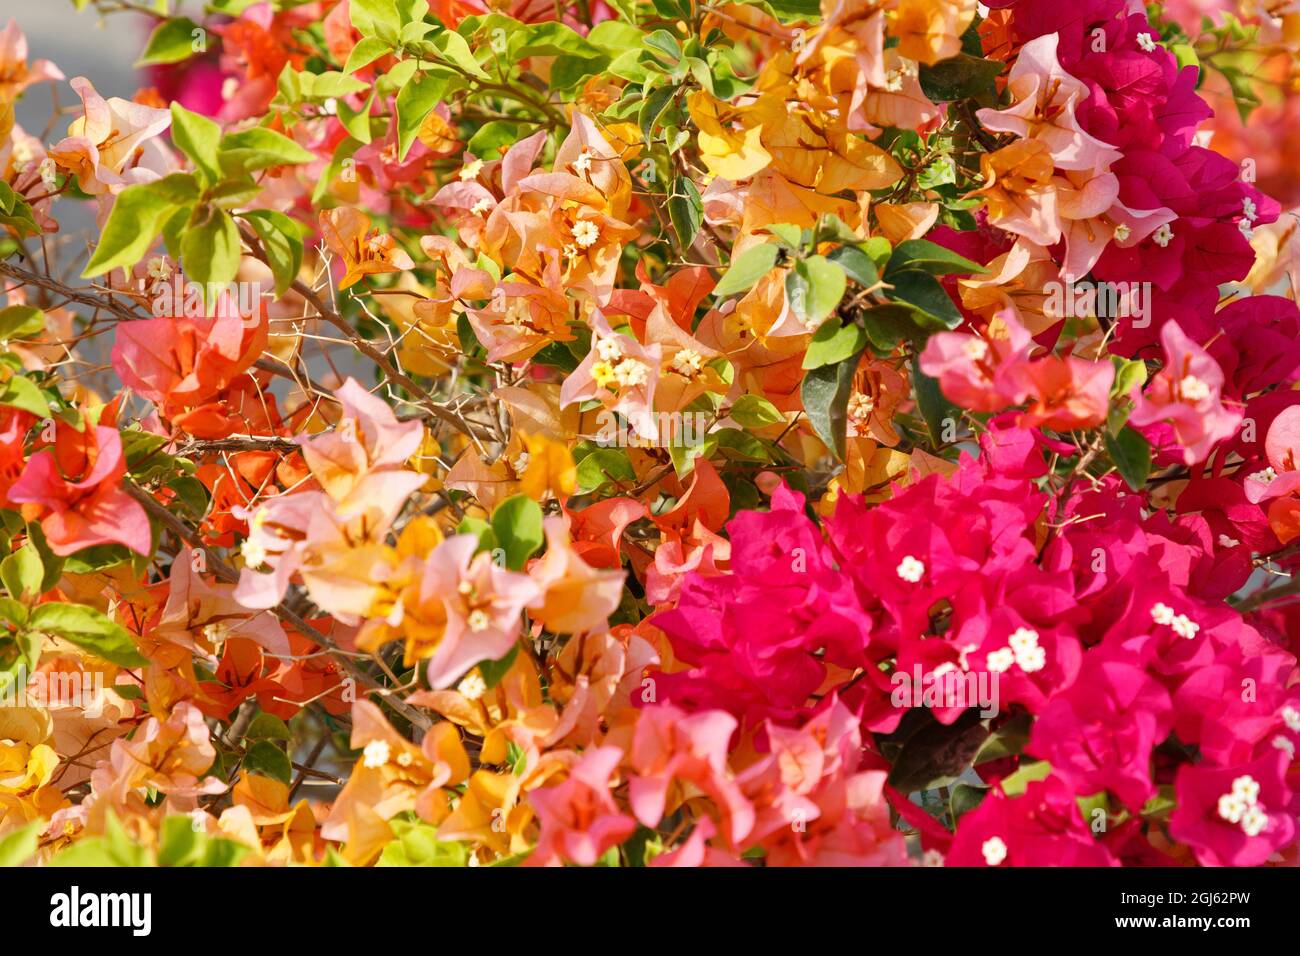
{"type": "Point", "coordinates": [651, 434]}
